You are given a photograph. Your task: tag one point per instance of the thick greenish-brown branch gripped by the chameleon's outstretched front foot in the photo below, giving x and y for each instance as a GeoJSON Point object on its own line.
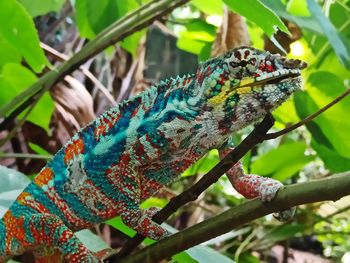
{"type": "Point", "coordinates": [331, 188]}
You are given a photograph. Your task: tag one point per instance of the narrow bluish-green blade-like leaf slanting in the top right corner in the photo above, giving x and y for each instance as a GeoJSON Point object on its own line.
{"type": "Point", "coordinates": [329, 31]}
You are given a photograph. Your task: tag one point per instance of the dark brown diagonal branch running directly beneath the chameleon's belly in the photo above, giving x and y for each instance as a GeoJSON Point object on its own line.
{"type": "Point", "coordinates": [191, 194]}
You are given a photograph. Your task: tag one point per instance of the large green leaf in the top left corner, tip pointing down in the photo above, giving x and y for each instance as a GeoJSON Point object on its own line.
{"type": "Point", "coordinates": [17, 28]}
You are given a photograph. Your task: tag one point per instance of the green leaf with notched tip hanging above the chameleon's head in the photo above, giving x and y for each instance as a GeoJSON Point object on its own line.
{"type": "Point", "coordinates": [258, 13]}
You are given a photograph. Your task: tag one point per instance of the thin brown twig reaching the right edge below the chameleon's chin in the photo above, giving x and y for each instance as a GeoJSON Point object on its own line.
{"type": "Point", "coordinates": [274, 135]}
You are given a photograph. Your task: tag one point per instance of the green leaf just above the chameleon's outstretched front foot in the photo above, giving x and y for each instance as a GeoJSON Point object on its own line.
{"type": "Point", "coordinates": [282, 162]}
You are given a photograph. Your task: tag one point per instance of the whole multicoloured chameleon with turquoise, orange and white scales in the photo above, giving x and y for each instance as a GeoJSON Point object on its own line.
{"type": "Point", "coordinates": [131, 151]}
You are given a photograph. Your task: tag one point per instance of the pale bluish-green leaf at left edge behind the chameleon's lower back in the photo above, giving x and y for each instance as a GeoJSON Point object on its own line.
{"type": "Point", "coordinates": [12, 184]}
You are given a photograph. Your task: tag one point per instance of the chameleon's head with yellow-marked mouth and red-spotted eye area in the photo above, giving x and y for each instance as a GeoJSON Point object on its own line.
{"type": "Point", "coordinates": [244, 84]}
